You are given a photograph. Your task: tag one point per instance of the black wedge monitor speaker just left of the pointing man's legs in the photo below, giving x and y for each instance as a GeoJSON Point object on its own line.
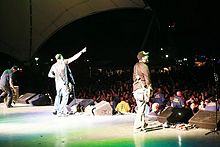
{"type": "Point", "coordinates": [40, 100]}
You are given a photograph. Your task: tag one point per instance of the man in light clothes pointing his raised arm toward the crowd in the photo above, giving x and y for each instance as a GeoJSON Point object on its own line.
{"type": "Point", "coordinates": [59, 72]}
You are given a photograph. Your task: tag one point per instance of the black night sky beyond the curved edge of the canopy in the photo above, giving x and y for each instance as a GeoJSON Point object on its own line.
{"type": "Point", "coordinates": [118, 35]}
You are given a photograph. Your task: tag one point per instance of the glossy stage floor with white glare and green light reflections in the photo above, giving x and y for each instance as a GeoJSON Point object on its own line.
{"type": "Point", "coordinates": [25, 125]}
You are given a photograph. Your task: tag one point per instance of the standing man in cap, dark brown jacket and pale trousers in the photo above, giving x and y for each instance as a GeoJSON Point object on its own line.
{"type": "Point", "coordinates": [142, 89]}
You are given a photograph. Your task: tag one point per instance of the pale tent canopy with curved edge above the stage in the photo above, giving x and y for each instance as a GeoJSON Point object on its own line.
{"type": "Point", "coordinates": [26, 25]}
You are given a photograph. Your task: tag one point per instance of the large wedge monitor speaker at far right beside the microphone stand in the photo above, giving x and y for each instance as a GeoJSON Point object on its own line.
{"type": "Point", "coordinates": [205, 119]}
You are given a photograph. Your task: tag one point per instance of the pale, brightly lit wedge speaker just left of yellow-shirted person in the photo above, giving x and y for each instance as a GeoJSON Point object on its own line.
{"type": "Point", "coordinates": [102, 108]}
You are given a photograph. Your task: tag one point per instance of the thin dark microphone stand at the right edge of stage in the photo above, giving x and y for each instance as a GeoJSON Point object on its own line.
{"type": "Point", "coordinates": [216, 129]}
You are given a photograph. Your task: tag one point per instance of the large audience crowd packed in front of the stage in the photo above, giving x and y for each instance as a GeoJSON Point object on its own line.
{"type": "Point", "coordinates": [170, 89]}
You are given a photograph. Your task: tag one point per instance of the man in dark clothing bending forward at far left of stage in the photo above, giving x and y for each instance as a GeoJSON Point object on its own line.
{"type": "Point", "coordinates": [6, 85]}
